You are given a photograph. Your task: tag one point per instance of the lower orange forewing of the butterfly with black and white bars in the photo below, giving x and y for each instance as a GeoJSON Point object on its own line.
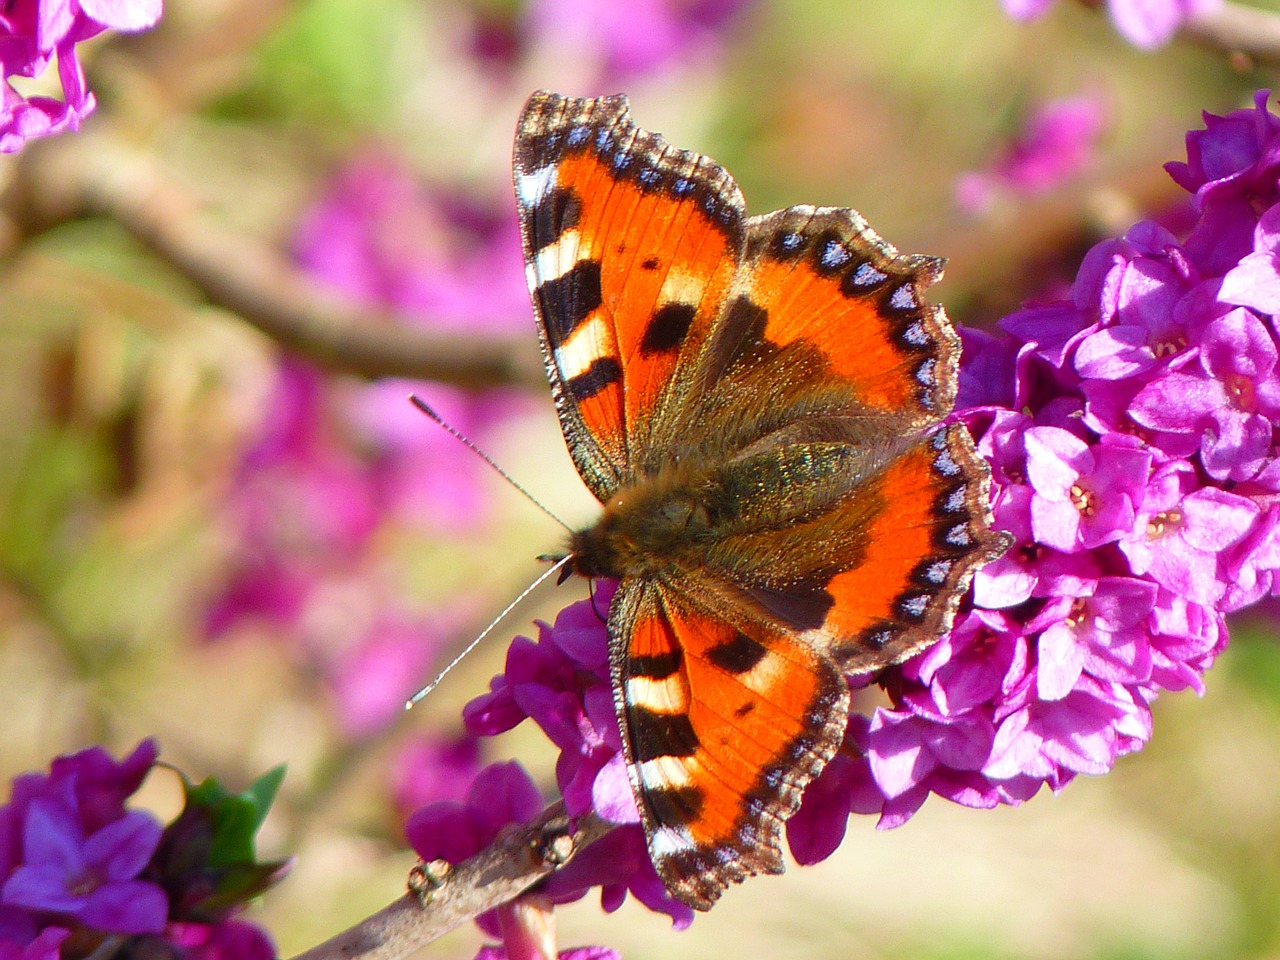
{"type": "Point", "coordinates": [726, 724]}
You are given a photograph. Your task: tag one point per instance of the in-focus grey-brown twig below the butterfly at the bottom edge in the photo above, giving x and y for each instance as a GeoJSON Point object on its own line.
{"type": "Point", "coordinates": [497, 875]}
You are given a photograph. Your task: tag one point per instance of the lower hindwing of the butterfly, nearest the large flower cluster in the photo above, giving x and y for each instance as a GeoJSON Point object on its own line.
{"type": "Point", "coordinates": [877, 573]}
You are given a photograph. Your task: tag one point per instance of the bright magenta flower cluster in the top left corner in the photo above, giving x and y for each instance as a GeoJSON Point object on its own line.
{"type": "Point", "coordinates": [35, 33]}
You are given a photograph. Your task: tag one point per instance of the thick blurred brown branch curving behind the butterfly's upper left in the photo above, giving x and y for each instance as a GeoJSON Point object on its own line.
{"type": "Point", "coordinates": [95, 173]}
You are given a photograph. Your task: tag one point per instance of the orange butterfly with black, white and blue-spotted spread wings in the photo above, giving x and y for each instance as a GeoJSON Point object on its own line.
{"type": "Point", "coordinates": [758, 404]}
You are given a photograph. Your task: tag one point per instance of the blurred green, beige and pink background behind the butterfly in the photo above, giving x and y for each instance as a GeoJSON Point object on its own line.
{"type": "Point", "coordinates": [254, 554]}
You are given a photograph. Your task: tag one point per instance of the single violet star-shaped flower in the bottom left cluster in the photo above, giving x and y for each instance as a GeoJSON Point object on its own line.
{"type": "Point", "coordinates": [90, 877]}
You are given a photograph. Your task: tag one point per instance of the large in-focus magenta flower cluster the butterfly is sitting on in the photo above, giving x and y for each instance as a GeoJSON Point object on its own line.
{"type": "Point", "coordinates": [1131, 433]}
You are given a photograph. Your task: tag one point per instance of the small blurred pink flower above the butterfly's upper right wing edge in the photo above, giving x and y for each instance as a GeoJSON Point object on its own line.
{"type": "Point", "coordinates": [1057, 144]}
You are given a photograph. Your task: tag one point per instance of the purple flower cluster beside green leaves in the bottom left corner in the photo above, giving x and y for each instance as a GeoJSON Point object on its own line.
{"type": "Point", "coordinates": [77, 866]}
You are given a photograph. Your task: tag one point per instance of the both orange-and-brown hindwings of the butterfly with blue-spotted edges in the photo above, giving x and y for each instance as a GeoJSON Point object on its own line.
{"type": "Point", "coordinates": [840, 371]}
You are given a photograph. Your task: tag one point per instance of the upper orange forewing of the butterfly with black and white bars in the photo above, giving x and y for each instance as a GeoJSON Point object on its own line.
{"type": "Point", "coordinates": [630, 246]}
